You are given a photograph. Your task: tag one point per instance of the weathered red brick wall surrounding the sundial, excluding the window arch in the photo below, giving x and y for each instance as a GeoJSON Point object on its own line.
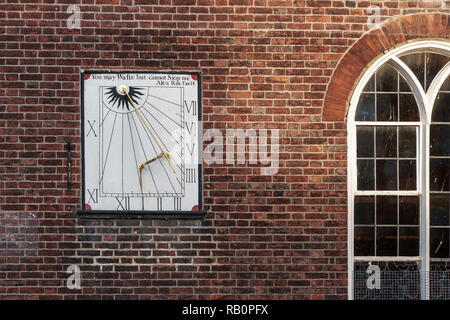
{"type": "Point", "coordinates": [264, 64]}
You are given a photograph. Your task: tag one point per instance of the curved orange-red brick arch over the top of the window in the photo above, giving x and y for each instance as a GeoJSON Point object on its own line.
{"type": "Point", "coordinates": [372, 45]}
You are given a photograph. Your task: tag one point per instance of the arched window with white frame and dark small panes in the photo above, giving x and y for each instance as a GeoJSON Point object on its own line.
{"type": "Point", "coordinates": [398, 167]}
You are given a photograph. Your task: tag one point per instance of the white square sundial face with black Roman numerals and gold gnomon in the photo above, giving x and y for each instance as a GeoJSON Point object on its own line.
{"type": "Point", "coordinates": [135, 145]}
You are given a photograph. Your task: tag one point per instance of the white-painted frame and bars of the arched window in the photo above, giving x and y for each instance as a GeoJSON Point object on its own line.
{"type": "Point", "coordinates": [425, 105]}
